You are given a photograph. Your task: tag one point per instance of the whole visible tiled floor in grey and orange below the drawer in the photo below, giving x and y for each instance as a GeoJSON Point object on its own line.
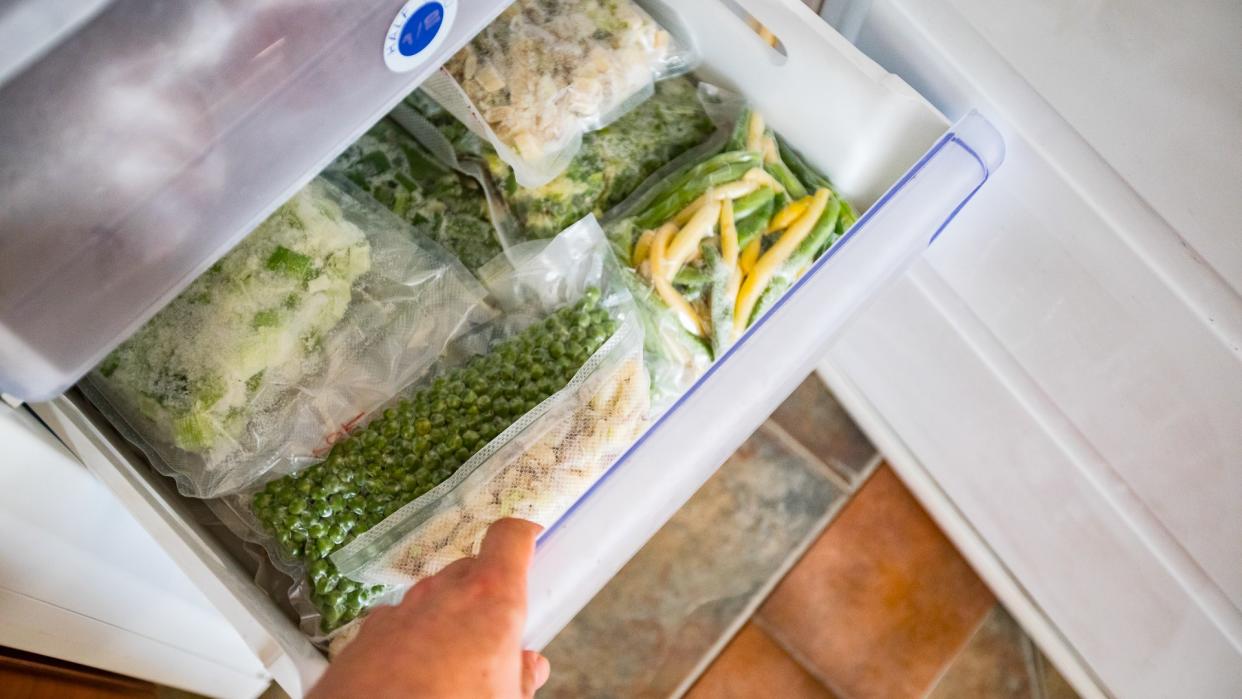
{"type": "Point", "coordinates": [843, 587]}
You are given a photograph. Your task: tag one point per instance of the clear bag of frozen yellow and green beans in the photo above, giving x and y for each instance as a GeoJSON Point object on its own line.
{"type": "Point", "coordinates": [712, 241]}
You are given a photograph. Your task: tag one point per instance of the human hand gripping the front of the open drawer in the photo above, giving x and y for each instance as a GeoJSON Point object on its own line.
{"type": "Point", "coordinates": [456, 634]}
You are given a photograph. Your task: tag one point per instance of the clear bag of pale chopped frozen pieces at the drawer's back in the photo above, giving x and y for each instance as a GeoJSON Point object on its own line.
{"type": "Point", "coordinates": [547, 71]}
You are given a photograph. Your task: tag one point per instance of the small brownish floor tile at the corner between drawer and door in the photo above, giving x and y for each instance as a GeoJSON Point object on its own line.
{"type": "Point", "coordinates": [819, 423]}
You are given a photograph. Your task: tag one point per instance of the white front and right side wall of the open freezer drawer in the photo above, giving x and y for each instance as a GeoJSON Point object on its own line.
{"type": "Point", "coordinates": [578, 556]}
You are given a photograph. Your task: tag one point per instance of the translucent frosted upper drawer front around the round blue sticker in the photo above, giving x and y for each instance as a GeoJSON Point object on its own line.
{"type": "Point", "coordinates": [148, 141]}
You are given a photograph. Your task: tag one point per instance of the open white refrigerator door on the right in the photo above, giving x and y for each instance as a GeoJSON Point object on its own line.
{"type": "Point", "coordinates": [1076, 337]}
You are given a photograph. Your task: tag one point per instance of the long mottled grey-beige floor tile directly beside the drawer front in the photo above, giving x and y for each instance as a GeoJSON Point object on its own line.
{"type": "Point", "coordinates": [653, 625]}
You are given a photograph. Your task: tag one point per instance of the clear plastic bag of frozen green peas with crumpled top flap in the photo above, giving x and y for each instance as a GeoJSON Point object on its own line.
{"type": "Point", "coordinates": [562, 305]}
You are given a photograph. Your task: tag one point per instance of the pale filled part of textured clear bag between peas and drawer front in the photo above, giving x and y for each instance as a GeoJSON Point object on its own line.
{"type": "Point", "coordinates": [538, 475]}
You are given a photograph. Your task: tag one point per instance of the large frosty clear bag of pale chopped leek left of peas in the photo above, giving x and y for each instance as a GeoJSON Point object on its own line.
{"type": "Point", "coordinates": [304, 327]}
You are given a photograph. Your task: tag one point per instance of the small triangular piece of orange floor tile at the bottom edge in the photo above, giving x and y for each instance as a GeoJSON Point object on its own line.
{"type": "Point", "coordinates": [755, 666]}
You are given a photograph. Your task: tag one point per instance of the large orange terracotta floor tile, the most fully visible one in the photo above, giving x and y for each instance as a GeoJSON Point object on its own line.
{"type": "Point", "coordinates": [882, 603]}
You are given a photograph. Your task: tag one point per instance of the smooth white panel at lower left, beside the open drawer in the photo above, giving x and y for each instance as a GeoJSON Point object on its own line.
{"type": "Point", "coordinates": [81, 582]}
